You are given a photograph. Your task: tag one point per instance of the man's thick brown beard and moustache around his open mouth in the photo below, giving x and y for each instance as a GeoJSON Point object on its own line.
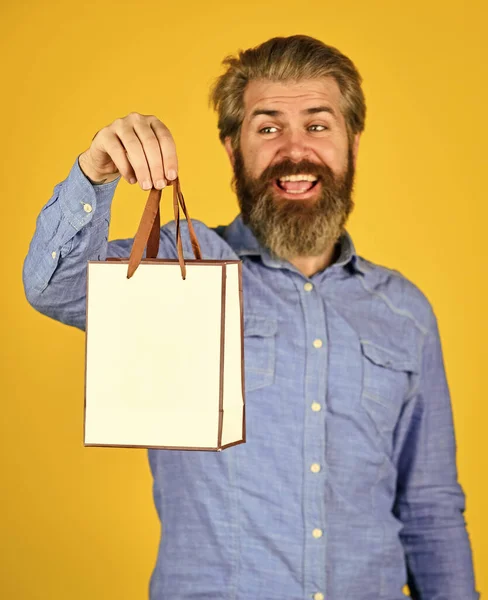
{"type": "Point", "coordinates": [290, 228]}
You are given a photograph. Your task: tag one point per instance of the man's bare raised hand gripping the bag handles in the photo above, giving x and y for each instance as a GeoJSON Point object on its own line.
{"type": "Point", "coordinates": [138, 147]}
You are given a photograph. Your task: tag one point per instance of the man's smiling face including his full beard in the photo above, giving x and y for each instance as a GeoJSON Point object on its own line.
{"type": "Point", "coordinates": [294, 168]}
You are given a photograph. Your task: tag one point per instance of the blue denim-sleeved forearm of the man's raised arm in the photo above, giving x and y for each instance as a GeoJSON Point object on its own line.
{"type": "Point", "coordinates": [71, 229]}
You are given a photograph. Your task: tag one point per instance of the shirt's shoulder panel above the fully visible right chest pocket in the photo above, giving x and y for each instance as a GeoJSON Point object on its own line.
{"type": "Point", "coordinates": [397, 291]}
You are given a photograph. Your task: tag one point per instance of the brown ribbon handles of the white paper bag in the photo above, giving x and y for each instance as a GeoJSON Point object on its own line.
{"type": "Point", "coordinates": [148, 232]}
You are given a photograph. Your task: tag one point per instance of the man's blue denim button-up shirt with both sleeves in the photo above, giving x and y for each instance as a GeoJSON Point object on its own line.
{"type": "Point", "coordinates": [347, 486]}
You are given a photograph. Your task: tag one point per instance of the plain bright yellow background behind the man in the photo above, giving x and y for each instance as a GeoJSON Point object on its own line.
{"type": "Point", "coordinates": [79, 523]}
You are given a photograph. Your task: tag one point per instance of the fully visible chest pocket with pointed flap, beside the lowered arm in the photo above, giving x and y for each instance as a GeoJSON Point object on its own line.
{"type": "Point", "coordinates": [387, 379]}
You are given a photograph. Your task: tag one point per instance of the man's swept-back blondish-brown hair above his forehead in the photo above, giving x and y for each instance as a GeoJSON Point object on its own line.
{"type": "Point", "coordinates": [291, 58]}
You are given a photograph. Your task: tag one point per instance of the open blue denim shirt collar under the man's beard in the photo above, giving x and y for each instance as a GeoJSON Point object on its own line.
{"type": "Point", "coordinates": [240, 237]}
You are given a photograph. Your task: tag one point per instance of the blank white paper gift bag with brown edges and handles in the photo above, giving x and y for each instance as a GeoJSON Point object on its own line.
{"type": "Point", "coordinates": [164, 345]}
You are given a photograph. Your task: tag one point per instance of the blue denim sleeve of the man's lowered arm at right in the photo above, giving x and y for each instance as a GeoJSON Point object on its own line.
{"type": "Point", "coordinates": [430, 503]}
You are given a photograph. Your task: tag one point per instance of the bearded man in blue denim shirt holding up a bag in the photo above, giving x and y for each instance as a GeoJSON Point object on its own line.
{"type": "Point", "coordinates": [346, 487]}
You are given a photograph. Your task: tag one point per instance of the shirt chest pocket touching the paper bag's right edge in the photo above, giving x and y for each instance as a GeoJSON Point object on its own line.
{"type": "Point", "coordinates": [259, 351]}
